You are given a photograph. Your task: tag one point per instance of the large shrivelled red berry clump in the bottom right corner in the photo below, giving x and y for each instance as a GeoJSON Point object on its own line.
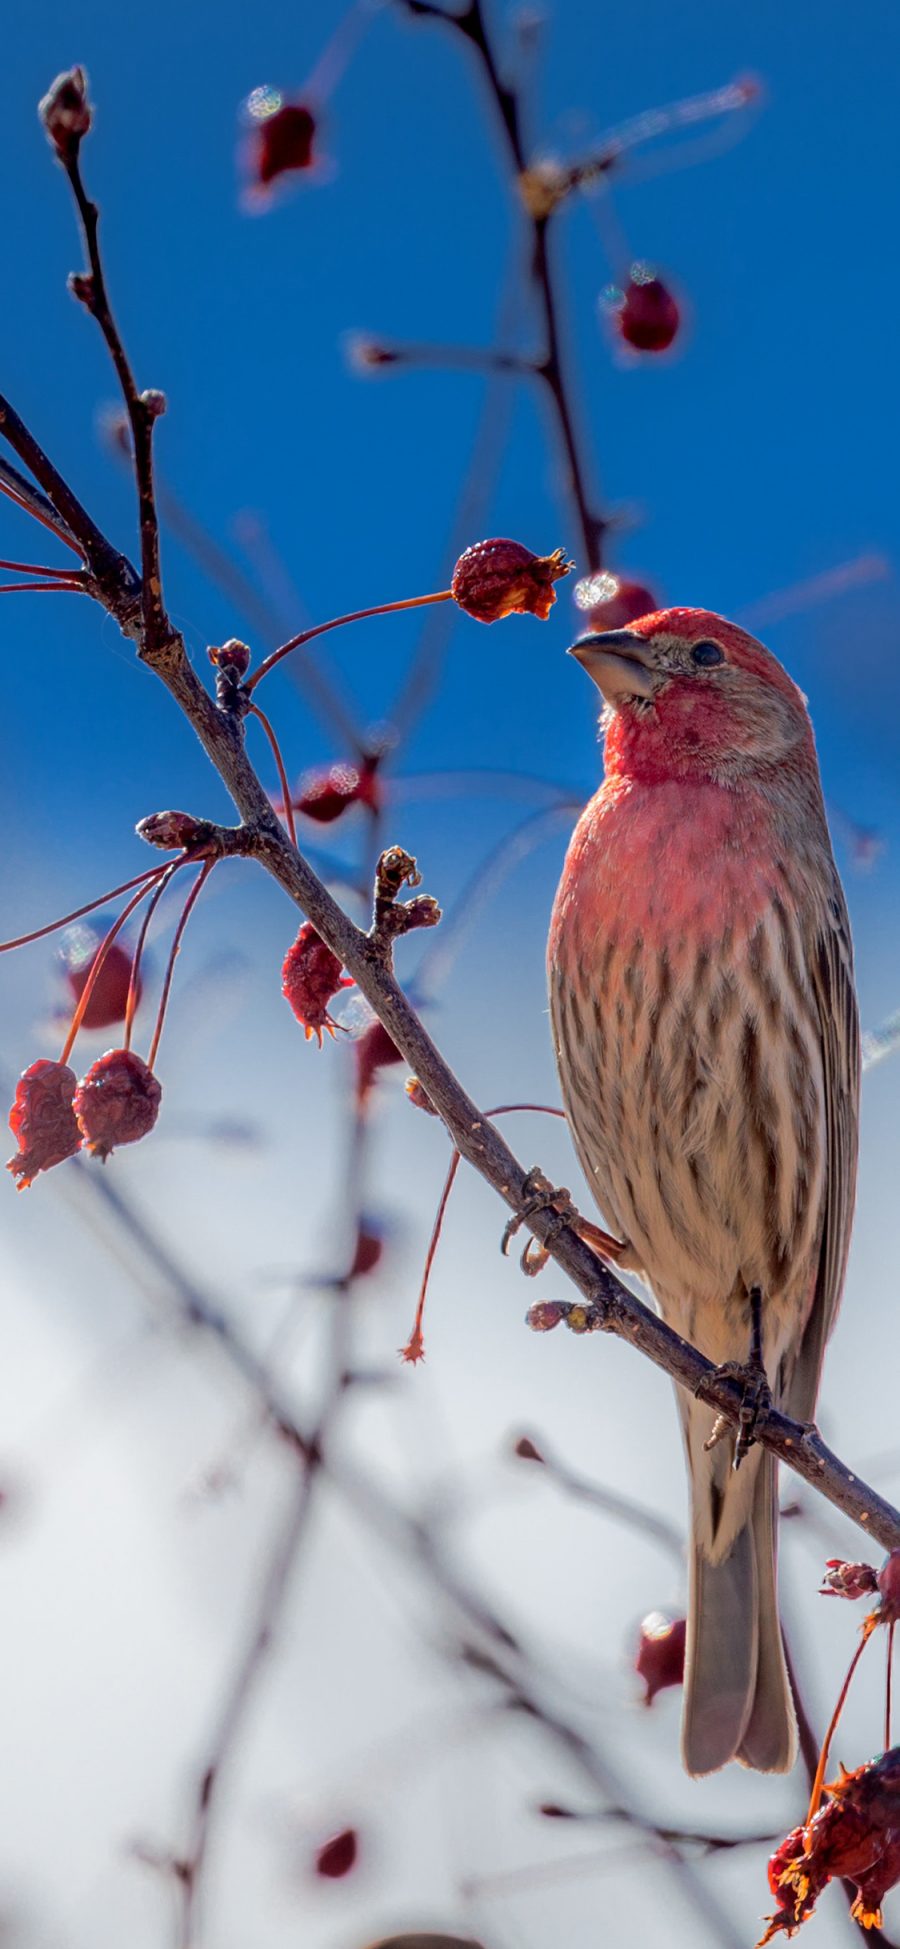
{"type": "Point", "coordinates": [854, 1837]}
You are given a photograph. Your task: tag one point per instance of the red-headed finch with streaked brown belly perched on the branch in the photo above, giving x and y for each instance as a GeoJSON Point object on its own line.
{"type": "Point", "coordinates": [708, 1044]}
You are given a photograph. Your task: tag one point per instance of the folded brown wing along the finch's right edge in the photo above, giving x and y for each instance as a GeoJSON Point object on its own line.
{"type": "Point", "coordinates": [833, 983]}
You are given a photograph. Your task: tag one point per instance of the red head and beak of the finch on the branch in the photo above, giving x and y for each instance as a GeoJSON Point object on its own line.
{"type": "Point", "coordinates": [693, 697]}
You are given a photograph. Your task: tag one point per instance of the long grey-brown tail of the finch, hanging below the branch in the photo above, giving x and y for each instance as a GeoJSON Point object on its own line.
{"type": "Point", "coordinates": [737, 1697]}
